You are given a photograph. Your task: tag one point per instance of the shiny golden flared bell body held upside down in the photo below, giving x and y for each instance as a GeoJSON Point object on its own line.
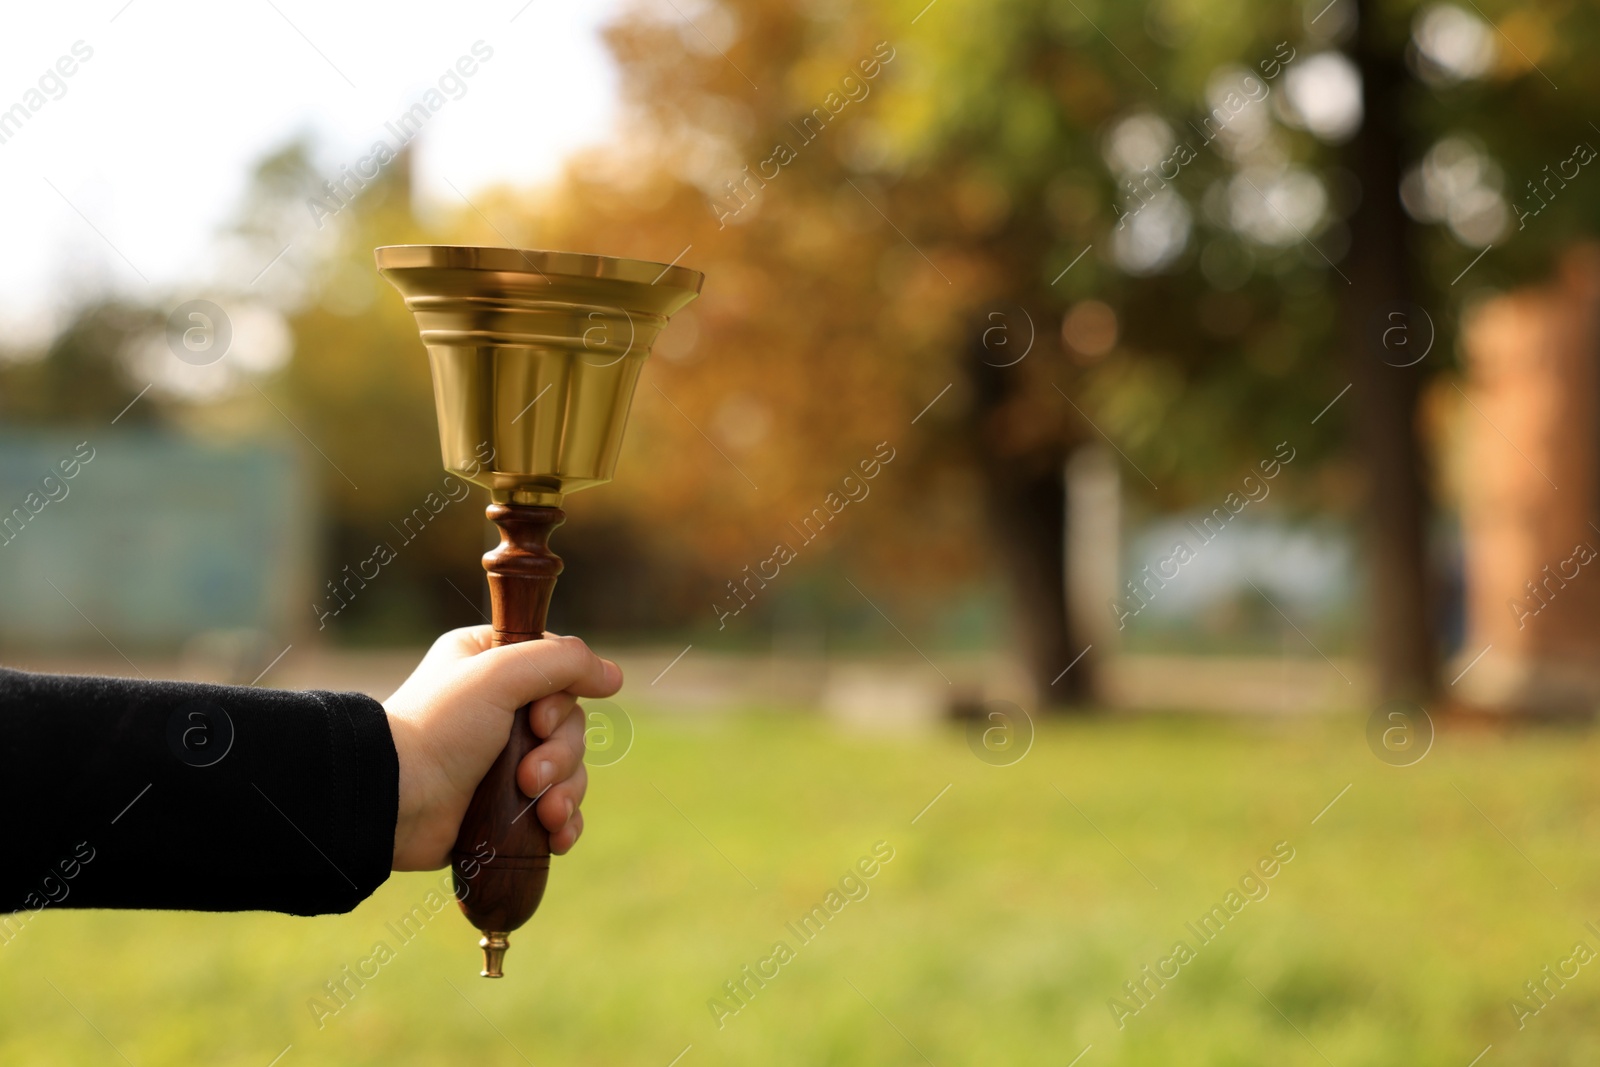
{"type": "Point", "coordinates": [535, 358]}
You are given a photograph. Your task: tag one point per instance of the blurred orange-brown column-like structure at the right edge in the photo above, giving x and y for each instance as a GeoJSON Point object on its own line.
{"type": "Point", "coordinates": [1529, 497]}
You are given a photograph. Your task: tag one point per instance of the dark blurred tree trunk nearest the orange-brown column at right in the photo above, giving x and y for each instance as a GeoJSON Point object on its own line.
{"type": "Point", "coordinates": [1386, 396]}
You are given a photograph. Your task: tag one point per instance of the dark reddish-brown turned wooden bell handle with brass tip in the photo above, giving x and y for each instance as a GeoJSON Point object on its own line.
{"type": "Point", "coordinates": [503, 853]}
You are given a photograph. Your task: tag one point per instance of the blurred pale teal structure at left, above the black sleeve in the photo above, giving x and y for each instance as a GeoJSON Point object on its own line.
{"type": "Point", "coordinates": [150, 543]}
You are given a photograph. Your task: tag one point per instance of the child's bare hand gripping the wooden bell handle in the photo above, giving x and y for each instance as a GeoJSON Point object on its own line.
{"type": "Point", "coordinates": [454, 716]}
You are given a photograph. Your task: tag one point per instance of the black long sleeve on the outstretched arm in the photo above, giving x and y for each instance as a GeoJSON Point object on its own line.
{"type": "Point", "coordinates": [204, 797]}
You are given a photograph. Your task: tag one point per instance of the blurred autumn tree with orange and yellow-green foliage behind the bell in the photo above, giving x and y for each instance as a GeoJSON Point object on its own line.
{"type": "Point", "coordinates": [940, 193]}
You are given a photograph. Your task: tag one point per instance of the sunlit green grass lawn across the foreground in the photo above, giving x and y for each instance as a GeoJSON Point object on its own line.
{"type": "Point", "coordinates": [999, 932]}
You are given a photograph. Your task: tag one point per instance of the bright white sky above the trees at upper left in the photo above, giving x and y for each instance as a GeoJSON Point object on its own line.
{"type": "Point", "coordinates": [132, 162]}
